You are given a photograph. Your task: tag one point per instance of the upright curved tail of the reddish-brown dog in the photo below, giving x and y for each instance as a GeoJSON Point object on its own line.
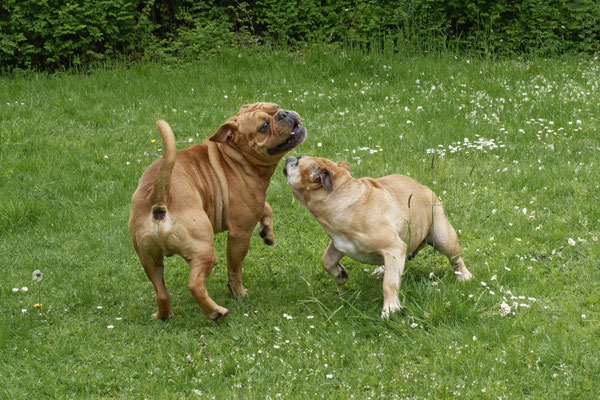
{"type": "Point", "coordinates": [160, 194]}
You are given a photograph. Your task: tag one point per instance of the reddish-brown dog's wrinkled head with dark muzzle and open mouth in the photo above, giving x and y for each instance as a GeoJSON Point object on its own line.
{"type": "Point", "coordinates": [262, 131]}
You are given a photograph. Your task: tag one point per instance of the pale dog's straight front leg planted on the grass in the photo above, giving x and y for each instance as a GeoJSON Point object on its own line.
{"type": "Point", "coordinates": [394, 267]}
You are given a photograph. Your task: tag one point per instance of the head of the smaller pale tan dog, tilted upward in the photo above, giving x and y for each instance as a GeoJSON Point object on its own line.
{"type": "Point", "coordinates": [309, 175]}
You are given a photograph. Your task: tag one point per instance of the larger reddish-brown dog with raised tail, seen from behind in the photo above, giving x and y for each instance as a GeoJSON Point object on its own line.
{"type": "Point", "coordinates": [186, 197]}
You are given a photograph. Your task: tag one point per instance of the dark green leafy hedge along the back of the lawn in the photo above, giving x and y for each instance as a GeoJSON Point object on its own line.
{"type": "Point", "coordinates": [50, 34]}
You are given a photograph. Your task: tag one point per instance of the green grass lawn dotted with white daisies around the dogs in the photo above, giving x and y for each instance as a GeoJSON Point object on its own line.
{"type": "Point", "coordinates": [72, 148]}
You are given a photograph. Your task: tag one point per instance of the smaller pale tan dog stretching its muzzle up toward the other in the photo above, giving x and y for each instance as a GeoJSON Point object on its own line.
{"type": "Point", "coordinates": [373, 221]}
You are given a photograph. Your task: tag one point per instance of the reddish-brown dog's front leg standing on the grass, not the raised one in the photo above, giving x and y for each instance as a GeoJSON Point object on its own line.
{"type": "Point", "coordinates": [238, 242]}
